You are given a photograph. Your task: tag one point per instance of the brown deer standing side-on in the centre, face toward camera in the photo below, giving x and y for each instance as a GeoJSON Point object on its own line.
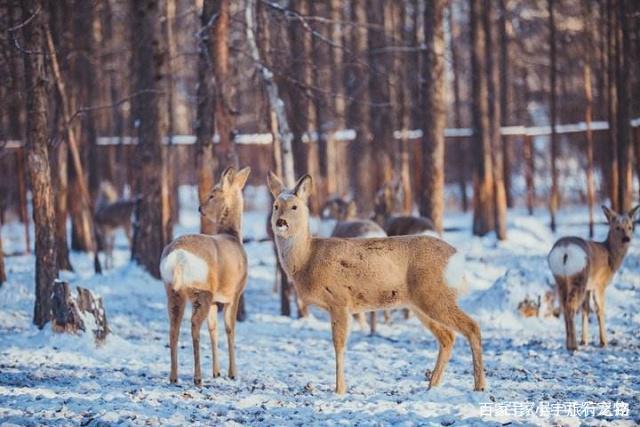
{"type": "Point", "coordinates": [345, 276]}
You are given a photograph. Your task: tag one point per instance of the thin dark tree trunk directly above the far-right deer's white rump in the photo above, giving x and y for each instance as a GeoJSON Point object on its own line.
{"type": "Point", "coordinates": [554, 197]}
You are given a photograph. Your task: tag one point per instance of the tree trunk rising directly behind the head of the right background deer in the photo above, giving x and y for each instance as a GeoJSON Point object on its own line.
{"type": "Point", "coordinates": [381, 120]}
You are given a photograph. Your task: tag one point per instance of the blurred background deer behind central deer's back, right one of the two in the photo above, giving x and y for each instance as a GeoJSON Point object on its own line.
{"type": "Point", "coordinates": [397, 225]}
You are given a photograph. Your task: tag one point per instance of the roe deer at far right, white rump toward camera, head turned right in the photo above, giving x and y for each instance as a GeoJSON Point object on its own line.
{"type": "Point", "coordinates": [584, 268]}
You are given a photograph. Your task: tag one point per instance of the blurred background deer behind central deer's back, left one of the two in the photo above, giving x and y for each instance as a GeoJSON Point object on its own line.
{"type": "Point", "coordinates": [348, 225]}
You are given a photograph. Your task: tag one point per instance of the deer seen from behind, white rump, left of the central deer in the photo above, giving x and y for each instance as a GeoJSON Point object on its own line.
{"type": "Point", "coordinates": [208, 269]}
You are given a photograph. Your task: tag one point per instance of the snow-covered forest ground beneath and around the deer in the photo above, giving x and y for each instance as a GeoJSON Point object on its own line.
{"type": "Point", "coordinates": [286, 366]}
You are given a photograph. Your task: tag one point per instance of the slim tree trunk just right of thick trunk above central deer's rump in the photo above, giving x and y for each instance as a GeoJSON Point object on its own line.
{"type": "Point", "coordinates": [460, 147]}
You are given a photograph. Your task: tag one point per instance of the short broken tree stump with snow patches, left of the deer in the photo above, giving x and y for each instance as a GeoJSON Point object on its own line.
{"type": "Point", "coordinates": [76, 315]}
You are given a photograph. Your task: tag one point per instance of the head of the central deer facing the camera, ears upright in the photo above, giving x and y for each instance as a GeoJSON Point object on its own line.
{"type": "Point", "coordinates": [290, 212]}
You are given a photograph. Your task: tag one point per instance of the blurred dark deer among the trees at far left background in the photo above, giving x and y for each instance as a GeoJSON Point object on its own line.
{"type": "Point", "coordinates": [110, 214]}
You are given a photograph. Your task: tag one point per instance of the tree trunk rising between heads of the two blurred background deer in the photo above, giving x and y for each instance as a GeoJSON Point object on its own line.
{"type": "Point", "coordinates": [358, 118]}
